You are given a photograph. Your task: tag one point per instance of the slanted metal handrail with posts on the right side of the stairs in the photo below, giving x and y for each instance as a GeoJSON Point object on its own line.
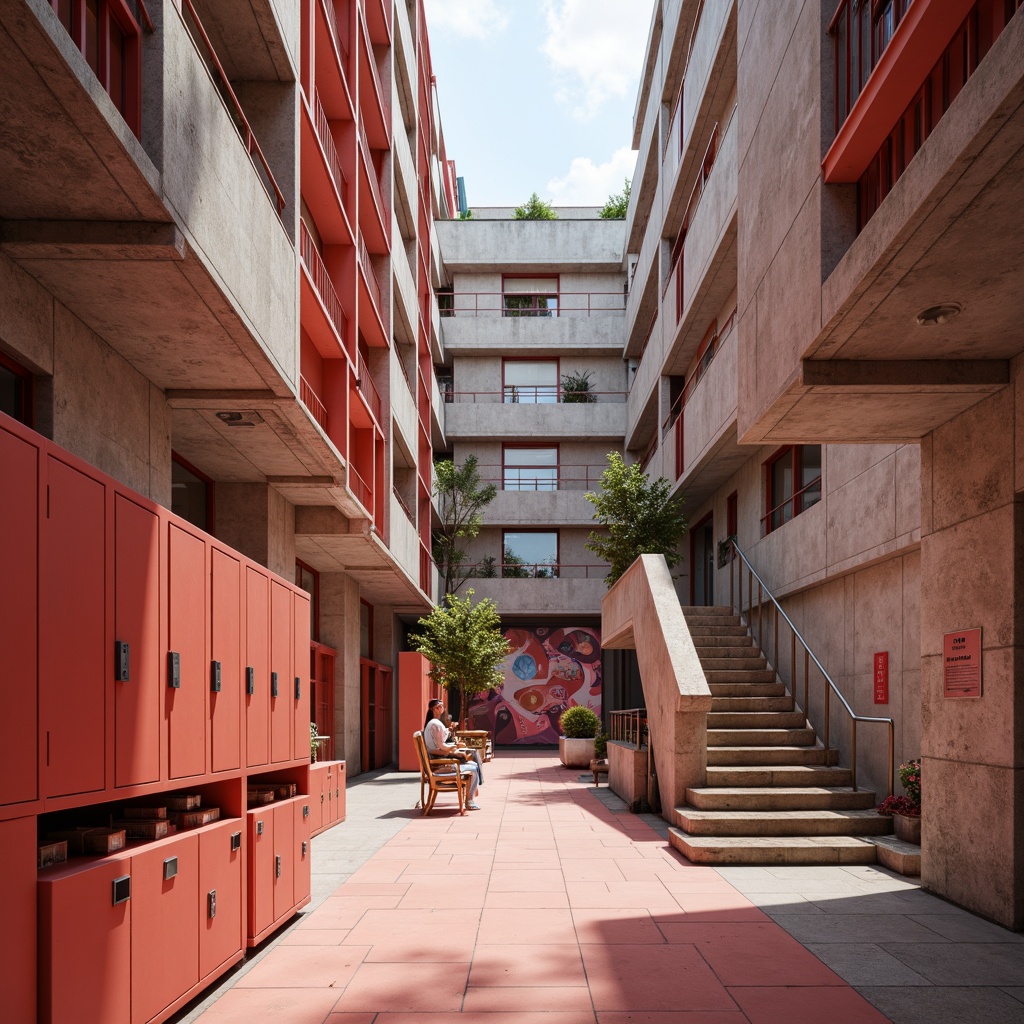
{"type": "Point", "coordinates": [737, 603]}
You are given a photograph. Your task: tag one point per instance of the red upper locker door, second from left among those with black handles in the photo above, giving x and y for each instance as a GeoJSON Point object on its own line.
{"type": "Point", "coordinates": [186, 707]}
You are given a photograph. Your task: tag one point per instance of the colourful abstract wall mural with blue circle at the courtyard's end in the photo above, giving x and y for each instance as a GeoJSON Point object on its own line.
{"type": "Point", "coordinates": [547, 671]}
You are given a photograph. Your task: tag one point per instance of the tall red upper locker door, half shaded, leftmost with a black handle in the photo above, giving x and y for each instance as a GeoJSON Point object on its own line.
{"type": "Point", "coordinates": [137, 622]}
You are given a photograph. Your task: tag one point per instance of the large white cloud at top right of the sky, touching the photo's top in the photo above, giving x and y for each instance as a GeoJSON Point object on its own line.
{"type": "Point", "coordinates": [596, 49]}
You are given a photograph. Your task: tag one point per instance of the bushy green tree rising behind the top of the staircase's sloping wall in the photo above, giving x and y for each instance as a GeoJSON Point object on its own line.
{"type": "Point", "coordinates": [639, 516]}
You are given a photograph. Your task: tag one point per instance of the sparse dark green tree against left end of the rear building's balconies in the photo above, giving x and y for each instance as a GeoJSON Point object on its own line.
{"type": "Point", "coordinates": [462, 498]}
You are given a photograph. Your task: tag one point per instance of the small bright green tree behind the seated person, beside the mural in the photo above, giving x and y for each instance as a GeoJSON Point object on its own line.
{"type": "Point", "coordinates": [465, 646]}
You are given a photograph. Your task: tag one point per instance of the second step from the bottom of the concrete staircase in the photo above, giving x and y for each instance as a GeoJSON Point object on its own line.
{"type": "Point", "coordinates": [799, 823]}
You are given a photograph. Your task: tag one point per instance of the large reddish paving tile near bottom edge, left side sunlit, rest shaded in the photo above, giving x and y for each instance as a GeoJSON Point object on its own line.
{"type": "Point", "coordinates": [651, 977]}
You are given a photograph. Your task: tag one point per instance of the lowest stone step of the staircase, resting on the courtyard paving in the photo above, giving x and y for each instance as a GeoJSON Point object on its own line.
{"type": "Point", "coordinates": [774, 850]}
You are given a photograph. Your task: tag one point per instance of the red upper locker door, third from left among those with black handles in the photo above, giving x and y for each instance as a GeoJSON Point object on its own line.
{"type": "Point", "coordinates": [226, 706]}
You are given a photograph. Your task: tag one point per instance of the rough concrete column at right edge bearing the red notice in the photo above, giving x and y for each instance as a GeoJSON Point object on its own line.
{"type": "Point", "coordinates": [972, 575]}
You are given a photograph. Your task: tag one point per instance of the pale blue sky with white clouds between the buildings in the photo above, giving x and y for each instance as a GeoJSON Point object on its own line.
{"type": "Point", "coordinates": [539, 96]}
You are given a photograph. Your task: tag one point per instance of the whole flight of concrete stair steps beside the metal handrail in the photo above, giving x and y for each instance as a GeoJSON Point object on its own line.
{"type": "Point", "coordinates": [774, 795]}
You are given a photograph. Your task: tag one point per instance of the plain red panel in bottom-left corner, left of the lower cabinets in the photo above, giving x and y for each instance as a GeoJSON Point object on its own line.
{"type": "Point", "coordinates": [18, 898]}
